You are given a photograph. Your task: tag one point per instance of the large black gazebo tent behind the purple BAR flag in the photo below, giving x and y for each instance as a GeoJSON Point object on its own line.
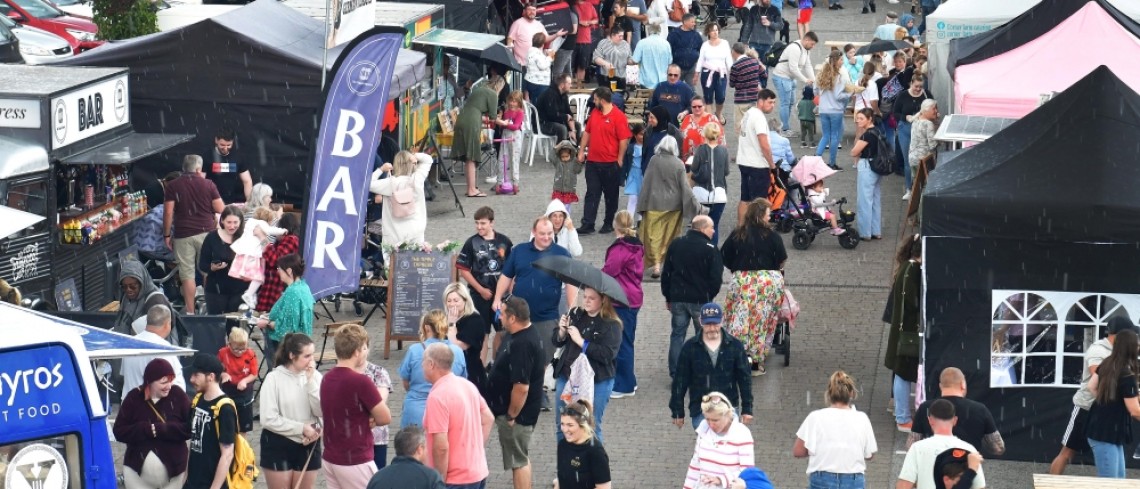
{"type": "Point", "coordinates": [257, 69]}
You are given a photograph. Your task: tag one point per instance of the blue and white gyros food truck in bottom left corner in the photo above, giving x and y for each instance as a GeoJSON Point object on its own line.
{"type": "Point", "coordinates": [55, 433]}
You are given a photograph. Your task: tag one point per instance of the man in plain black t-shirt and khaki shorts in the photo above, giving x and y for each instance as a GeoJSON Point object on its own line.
{"type": "Point", "coordinates": [517, 376]}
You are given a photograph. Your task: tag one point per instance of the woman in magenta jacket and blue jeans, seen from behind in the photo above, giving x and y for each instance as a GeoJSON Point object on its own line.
{"type": "Point", "coordinates": [624, 263]}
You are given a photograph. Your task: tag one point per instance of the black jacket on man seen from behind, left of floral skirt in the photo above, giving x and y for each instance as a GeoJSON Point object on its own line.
{"type": "Point", "coordinates": [693, 270]}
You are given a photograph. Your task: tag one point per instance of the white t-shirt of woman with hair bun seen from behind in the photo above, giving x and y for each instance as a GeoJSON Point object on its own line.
{"type": "Point", "coordinates": [837, 441]}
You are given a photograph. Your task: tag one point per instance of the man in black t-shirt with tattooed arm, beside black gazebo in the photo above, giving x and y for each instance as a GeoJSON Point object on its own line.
{"type": "Point", "coordinates": [975, 422]}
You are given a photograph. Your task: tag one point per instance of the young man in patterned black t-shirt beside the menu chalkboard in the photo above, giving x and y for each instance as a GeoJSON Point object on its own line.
{"type": "Point", "coordinates": [481, 264]}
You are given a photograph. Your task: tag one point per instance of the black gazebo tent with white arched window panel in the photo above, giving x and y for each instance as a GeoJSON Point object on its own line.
{"type": "Point", "coordinates": [1032, 241]}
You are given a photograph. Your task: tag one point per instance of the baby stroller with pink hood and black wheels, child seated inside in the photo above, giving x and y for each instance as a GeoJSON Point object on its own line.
{"type": "Point", "coordinates": [810, 224]}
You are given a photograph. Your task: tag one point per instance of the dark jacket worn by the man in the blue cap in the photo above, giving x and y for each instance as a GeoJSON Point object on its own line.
{"type": "Point", "coordinates": [698, 377]}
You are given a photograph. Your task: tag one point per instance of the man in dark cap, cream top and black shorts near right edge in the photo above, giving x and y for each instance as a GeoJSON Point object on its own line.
{"type": "Point", "coordinates": [1073, 441]}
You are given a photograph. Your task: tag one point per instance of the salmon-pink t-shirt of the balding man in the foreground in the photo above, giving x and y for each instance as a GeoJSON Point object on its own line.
{"type": "Point", "coordinates": [455, 407]}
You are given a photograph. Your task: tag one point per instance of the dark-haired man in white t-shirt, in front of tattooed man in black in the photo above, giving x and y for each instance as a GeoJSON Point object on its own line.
{"type": "Point", "coordinates": [918, 467]}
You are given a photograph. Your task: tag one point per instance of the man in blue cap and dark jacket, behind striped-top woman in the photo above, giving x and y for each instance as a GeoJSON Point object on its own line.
{"type": "Point", "coordinates": [713, 362]}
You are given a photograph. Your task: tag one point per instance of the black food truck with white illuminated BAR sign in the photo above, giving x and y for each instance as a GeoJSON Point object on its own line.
{"type": "Point", "coordinates": [67, 146]}
